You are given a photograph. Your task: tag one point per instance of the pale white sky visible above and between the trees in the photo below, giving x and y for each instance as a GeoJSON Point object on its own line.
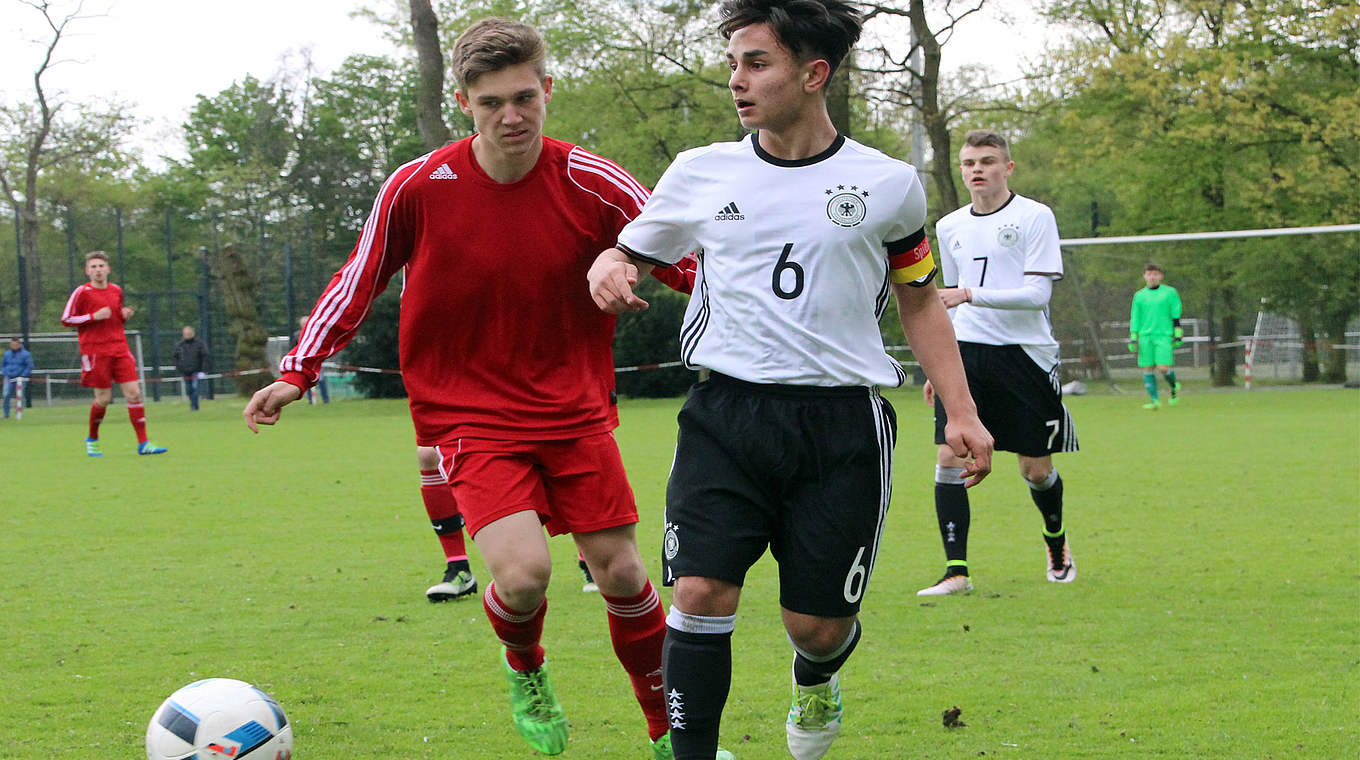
{"type": "Point", "coordinates": [160, 55]}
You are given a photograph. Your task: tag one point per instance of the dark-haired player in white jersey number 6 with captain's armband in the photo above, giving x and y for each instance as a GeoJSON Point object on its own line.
{"type": "Point", "coordinates": [804, 236]}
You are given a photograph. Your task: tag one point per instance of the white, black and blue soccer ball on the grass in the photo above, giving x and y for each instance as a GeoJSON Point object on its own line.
{"type": "Point", "coordinates": [220, 720]}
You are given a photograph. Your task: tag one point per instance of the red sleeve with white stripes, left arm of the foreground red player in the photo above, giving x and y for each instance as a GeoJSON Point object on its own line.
{"type": "Point", "coordinates": [384, 248]}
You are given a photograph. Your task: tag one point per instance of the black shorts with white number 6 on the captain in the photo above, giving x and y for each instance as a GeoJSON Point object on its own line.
{"type": "Point", "coordinates": [804, 471]}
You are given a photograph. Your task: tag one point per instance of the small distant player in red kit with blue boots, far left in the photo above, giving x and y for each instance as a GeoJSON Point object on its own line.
{"type": "Point", "coordinates": [97, 312]}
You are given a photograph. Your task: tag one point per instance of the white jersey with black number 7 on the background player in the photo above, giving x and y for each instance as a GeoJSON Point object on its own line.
{"type": "Point", "coordinates": [998, 251]}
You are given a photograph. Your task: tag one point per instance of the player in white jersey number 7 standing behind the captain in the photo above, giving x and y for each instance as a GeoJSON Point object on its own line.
{"type": "Point", "coordinates": [999, 259]}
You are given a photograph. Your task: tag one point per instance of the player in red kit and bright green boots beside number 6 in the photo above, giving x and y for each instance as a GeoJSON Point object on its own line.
{"type": "Point", "coordinates": [507, 361]}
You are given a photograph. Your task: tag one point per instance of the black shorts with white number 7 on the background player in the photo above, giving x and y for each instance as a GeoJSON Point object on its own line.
{"type": "Point", "coordinates": [1018, 402]}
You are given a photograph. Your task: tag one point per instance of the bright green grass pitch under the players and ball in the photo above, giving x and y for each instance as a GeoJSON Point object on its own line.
{"type": "Point", "coordinates": [1217, 614]}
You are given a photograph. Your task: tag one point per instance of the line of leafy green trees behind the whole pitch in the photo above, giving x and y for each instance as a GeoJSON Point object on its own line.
{"type": "Point", "coordinates": [1151, 116]}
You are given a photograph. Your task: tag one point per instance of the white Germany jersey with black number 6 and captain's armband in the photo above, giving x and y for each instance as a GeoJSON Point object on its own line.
{"type": "Point", "coordinates": [794, 259]}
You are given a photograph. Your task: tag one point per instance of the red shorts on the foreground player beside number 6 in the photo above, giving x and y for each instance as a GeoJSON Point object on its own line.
{"type": "Point", "coordinates": [576, 486]}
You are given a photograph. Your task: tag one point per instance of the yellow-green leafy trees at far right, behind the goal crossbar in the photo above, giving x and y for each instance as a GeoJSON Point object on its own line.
{"type": "Point", "coordinates": [1212, 115]}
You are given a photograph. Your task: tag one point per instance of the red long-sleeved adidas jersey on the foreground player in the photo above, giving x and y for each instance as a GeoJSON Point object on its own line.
{"type": "Point", "coordinates": [500, 336]}
